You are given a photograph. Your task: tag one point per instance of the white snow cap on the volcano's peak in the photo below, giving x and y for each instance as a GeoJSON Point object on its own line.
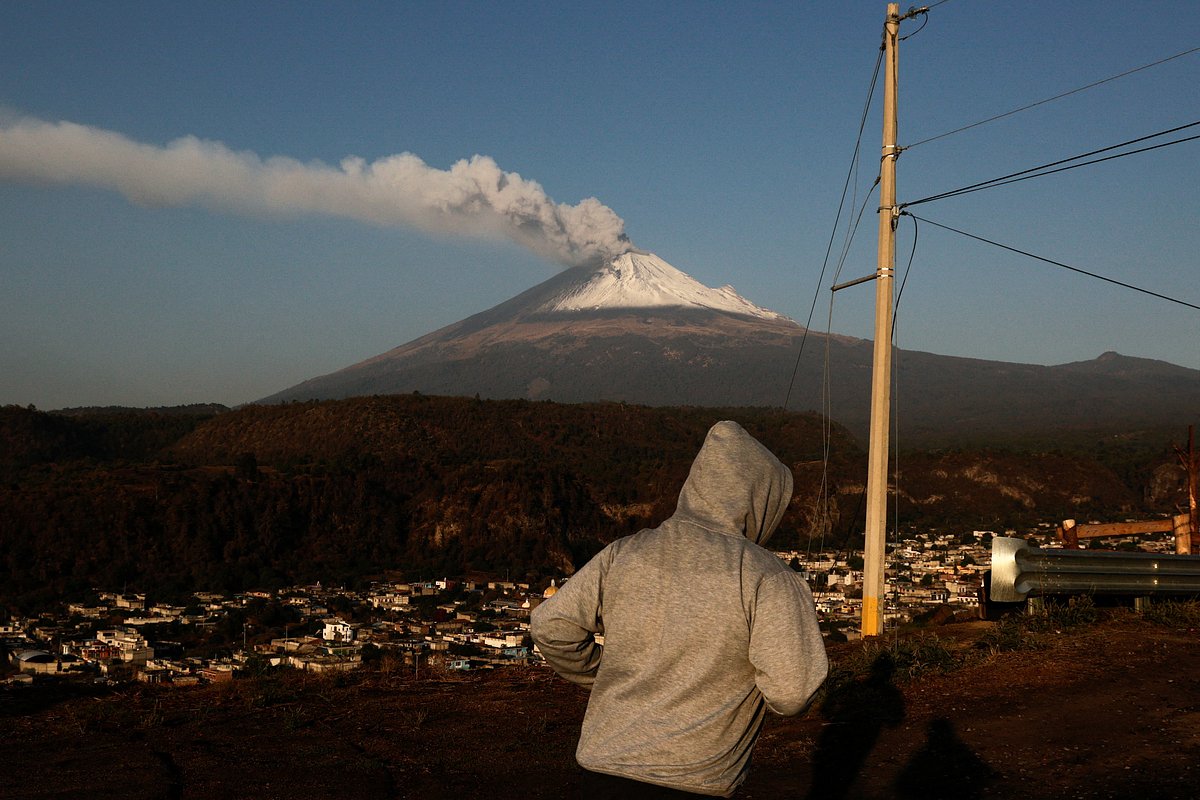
{"type": "Point", "coordinates": [637, 280]}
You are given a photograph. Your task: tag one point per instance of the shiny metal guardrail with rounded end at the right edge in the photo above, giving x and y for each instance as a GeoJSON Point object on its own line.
{"type": "Point", "coordinates": [1018, 570]}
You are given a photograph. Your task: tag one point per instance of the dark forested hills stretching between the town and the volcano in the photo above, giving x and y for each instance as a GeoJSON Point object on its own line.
{"type": "Point", "coordinates": [340, 491]}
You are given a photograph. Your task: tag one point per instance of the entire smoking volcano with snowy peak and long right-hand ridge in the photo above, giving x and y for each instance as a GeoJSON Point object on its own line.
{"type": "Point", "coordinates": [638, 330]}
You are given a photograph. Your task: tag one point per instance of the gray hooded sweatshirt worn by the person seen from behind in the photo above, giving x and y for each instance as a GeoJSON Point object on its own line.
{"type": "Point", "coordinates": [704, 629]}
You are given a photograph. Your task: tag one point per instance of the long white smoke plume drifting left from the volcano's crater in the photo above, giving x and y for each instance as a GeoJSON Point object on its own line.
{"type": "Point", "coordinates": [473, 199]}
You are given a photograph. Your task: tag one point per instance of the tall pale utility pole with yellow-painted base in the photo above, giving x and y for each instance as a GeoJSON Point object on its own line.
{"type": "Point", "coordinates": [881, 377]}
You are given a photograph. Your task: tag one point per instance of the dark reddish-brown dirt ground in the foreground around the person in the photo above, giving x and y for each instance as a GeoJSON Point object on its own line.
{"type": "Point", "coordinates": [1108, 711]}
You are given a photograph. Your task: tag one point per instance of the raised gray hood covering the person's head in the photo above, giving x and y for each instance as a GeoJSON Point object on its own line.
{"type": "Point", "coordinates": [736, 485]}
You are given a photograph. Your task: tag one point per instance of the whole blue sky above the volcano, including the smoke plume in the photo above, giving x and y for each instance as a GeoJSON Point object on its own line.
{"type": "Point", "coordinates": [179, 222]}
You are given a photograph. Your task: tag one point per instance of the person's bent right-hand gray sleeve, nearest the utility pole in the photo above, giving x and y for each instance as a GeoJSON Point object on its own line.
{"type": "Point", "coordinates": [787, 648]}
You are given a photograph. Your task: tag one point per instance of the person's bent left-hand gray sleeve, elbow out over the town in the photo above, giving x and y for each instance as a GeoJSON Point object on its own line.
{"type": "Point", "coordinates": [565, 627]}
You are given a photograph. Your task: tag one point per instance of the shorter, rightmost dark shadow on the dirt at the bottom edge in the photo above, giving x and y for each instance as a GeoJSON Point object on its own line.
{"type": "Point", "coordinates": [944, 768]}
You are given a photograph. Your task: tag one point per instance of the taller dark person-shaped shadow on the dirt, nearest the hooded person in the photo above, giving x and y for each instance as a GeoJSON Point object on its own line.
{"type": "Point", "coordinates": [855, 713]}
